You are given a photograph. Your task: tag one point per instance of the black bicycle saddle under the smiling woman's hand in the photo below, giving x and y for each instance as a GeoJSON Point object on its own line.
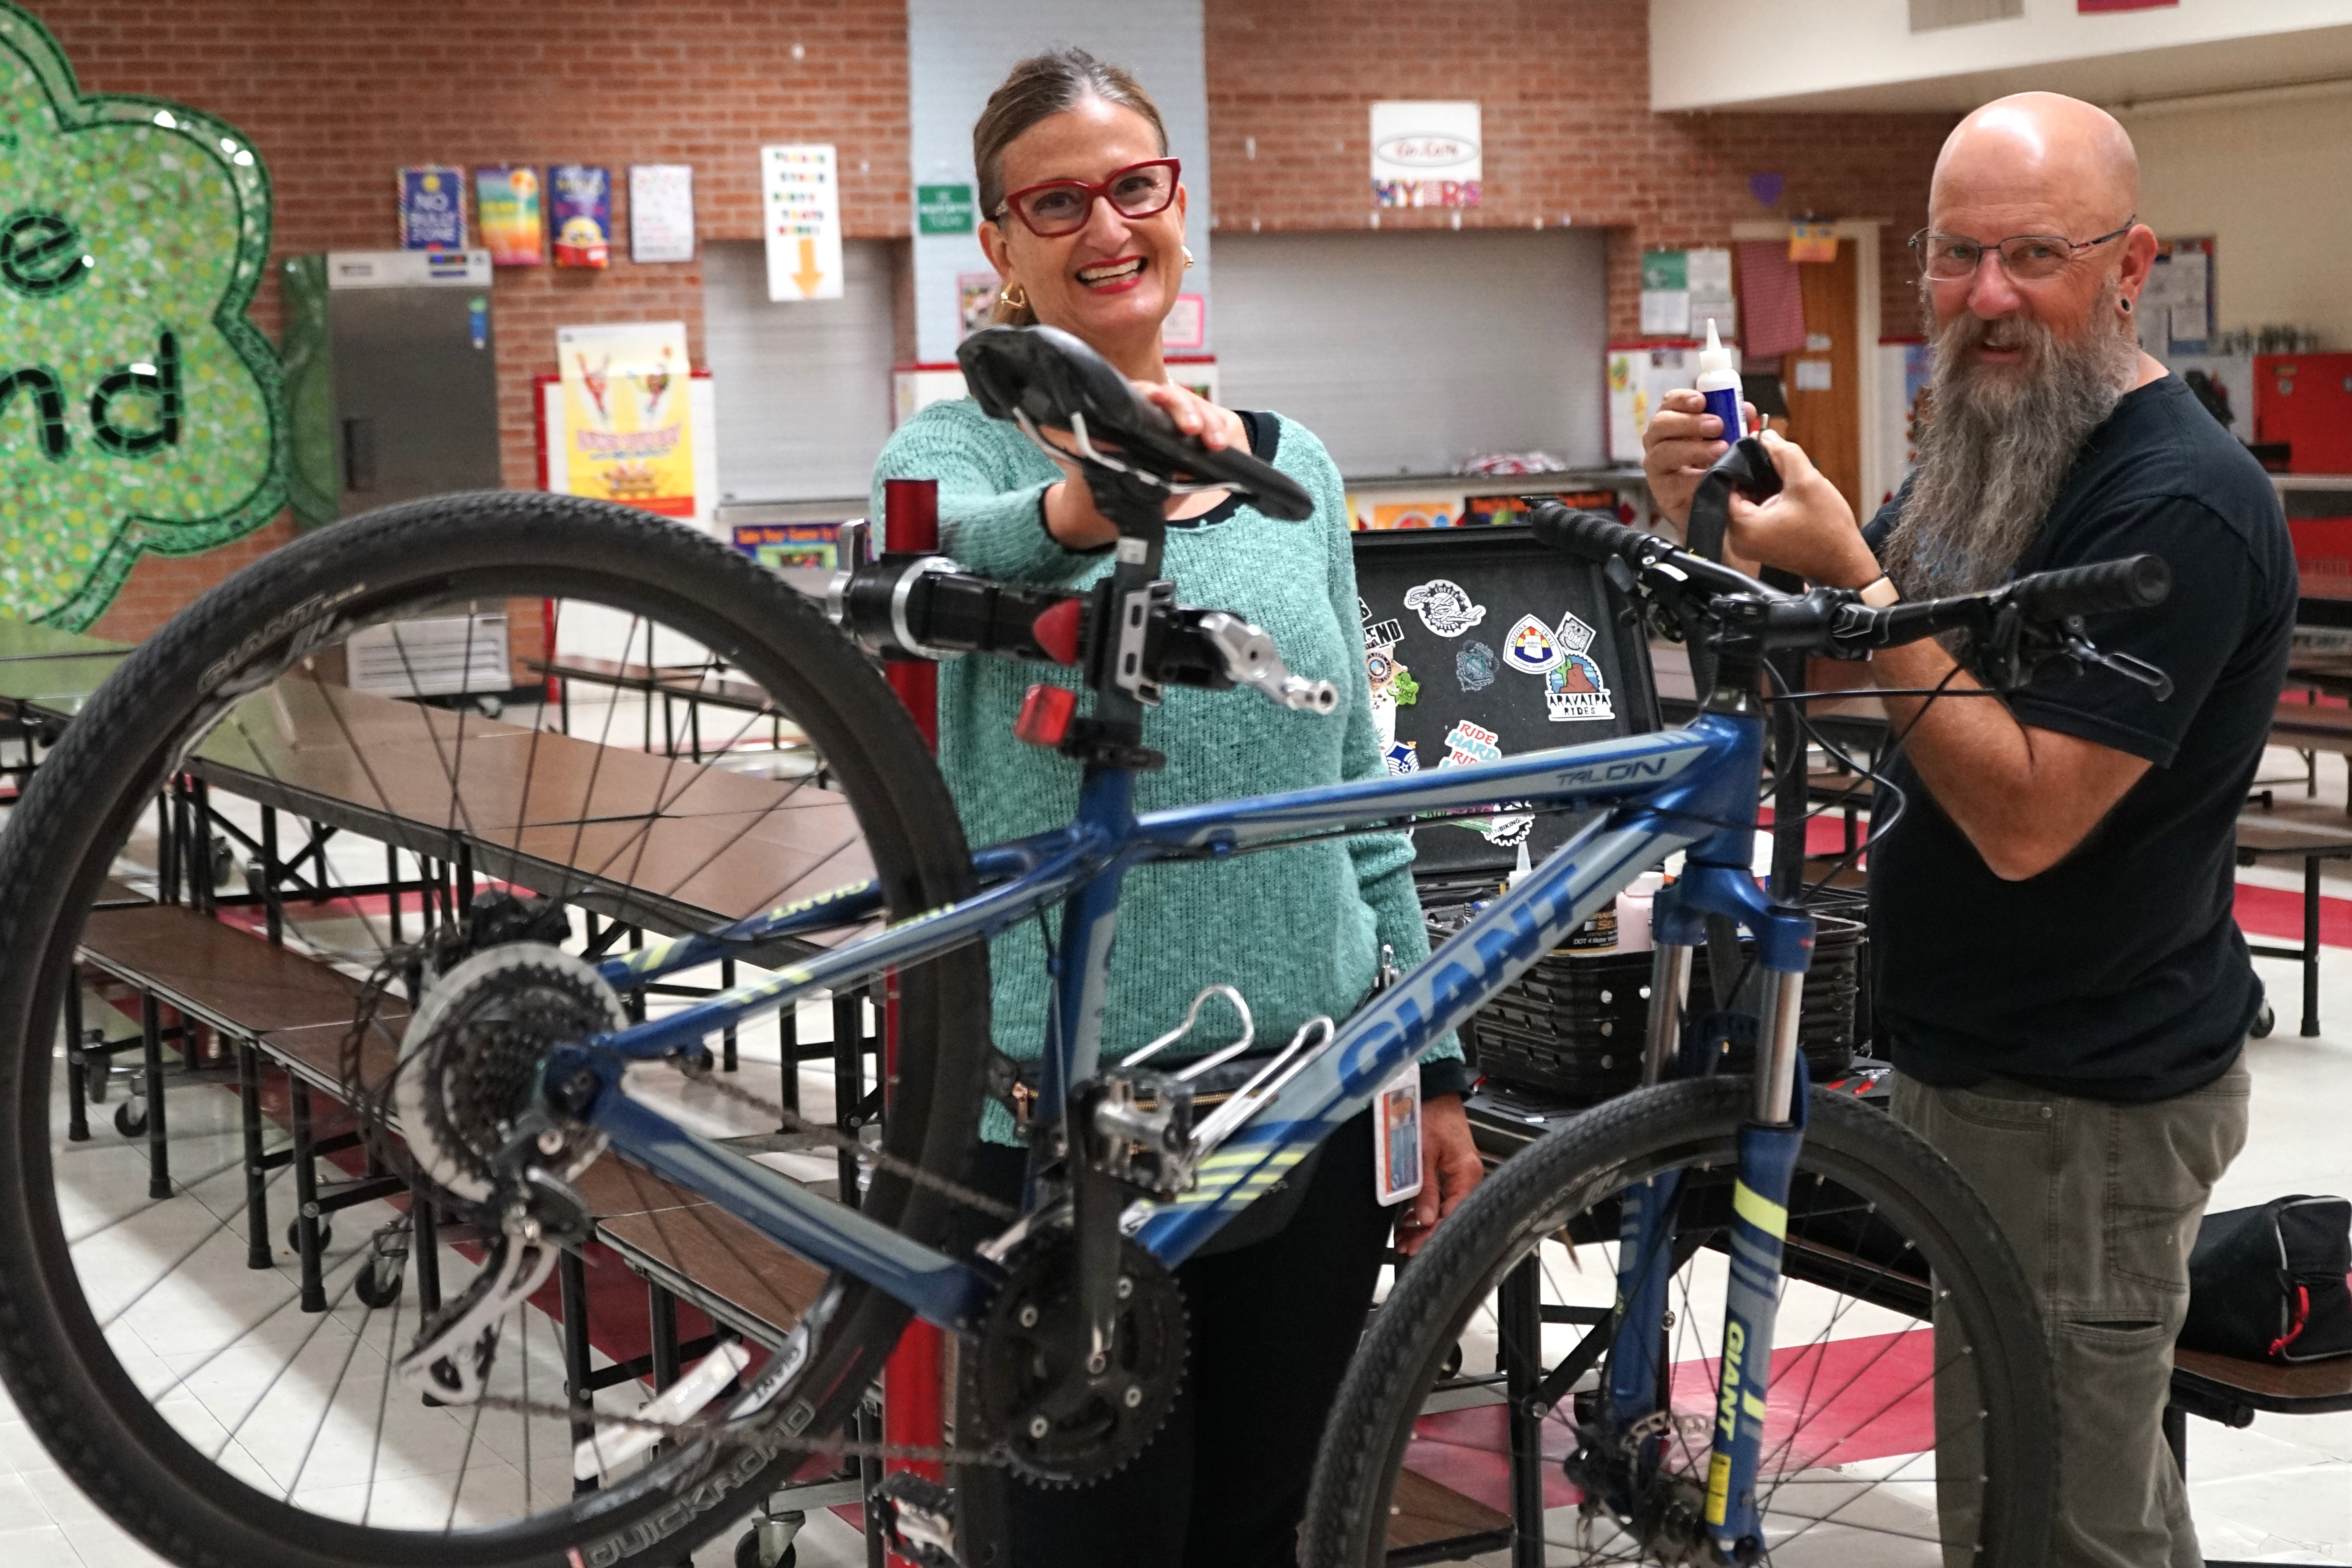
{"type": "Point", "coordinates": [1053, 377]}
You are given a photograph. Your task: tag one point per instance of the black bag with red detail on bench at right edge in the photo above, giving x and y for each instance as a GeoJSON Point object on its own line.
{"type": "Point", "coordinates": [2269, 1282]}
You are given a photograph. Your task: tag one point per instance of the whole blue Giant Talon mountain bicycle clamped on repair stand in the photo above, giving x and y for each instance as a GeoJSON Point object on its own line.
{"type": "Point", "coordinates": [1735, 1318]}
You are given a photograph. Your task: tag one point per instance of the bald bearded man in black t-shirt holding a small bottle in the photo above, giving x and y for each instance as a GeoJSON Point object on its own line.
{"type": "Point", "coordinates": [2052, 913]}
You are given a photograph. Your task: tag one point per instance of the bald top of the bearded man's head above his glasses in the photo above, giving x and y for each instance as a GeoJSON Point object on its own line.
{"type": "Point", "coordinates": [2040, 152]}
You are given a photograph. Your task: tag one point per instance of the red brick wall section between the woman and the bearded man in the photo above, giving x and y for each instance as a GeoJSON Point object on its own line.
{"type": "Point", "coordinates": [1568, 128]}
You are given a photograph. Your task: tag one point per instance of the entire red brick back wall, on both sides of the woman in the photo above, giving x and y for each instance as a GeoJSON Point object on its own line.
{"type": "Point", "coordinates": [342, 95]}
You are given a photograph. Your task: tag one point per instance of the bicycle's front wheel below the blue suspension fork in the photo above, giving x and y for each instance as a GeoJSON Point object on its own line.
{"type": "Point", "coordinates": [1864, 1395]}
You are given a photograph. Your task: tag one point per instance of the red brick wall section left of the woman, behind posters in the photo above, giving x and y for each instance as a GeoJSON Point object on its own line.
{"type": "Point", "coordinates": [338, 95]}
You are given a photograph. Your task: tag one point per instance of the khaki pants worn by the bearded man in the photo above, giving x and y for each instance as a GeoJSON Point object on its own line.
{"type": "Point", "coordinates": [2102, 1205]}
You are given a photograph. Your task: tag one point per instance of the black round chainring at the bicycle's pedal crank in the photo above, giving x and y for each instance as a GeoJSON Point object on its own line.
{"type": "Point", "coordinates": [1034, 1398]}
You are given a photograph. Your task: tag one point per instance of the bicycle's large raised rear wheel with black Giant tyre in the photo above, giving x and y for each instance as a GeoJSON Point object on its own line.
{"type": "Point", "coordinates": [679, 742]}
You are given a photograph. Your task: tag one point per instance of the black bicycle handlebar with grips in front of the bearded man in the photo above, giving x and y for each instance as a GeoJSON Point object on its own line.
{"type": "Point", "coordinates": [2019, 624]}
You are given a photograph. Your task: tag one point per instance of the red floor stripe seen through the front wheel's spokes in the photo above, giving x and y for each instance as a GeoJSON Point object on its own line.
{"type": "Point", "coordinates": [1862, 1400]}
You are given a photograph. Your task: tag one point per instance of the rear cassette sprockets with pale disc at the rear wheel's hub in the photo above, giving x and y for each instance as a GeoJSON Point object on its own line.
{"type": "Point", "coordinates": [472, 1059]}
